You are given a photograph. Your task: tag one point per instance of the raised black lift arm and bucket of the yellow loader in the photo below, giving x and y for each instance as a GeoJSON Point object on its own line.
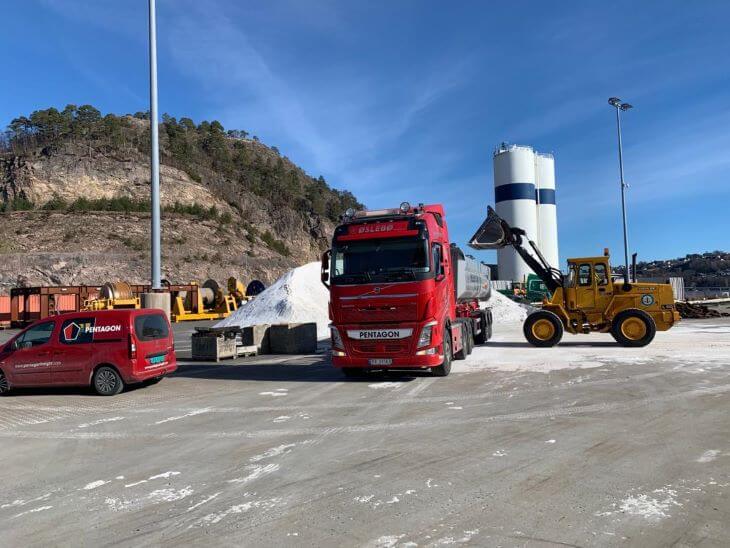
{"type": "Point", "coordinates": [496, 233]}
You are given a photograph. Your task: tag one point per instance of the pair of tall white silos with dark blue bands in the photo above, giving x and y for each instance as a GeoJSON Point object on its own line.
{"type": "Point", "coordinates": [524, 196]}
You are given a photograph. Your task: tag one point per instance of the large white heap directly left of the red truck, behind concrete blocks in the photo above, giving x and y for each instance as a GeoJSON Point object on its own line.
{"type": "Point", "coordinates": [297, 297]}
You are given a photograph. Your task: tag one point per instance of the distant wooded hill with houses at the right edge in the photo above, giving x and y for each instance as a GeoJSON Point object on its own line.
{"type": "Point", "coordinates": [711, 269]}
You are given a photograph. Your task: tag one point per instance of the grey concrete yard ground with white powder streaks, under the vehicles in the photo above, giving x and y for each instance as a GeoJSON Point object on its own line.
{"type": "Point", "coordinates": [586, 444]}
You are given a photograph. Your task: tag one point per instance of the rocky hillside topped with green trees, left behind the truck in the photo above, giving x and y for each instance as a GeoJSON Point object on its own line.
{"type": "Point", "coordinates": [74, 195]}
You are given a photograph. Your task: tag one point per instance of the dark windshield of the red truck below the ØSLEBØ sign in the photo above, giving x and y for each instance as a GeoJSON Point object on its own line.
{"type": "Point", "coordinates": [376, 261]}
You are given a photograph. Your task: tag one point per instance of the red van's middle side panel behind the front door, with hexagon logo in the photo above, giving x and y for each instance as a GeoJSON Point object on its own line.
{"type": "Point", "coordinates": [75, 352]}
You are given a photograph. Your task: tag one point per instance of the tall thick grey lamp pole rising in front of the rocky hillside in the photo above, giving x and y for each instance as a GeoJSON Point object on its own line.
{"type": "Point", "coordinates": [154, 154]}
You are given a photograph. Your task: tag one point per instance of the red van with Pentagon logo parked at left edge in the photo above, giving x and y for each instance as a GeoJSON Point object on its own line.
{"type": "Point", "coordinates": [105, 349]}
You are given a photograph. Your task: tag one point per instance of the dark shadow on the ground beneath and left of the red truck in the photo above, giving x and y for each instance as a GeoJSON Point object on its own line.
{"type": "Point", "coordinates": [318, 371]}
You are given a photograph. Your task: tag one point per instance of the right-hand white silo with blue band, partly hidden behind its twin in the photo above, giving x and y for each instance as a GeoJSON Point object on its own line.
{"type": "Point", "coordinates": [547, 216]}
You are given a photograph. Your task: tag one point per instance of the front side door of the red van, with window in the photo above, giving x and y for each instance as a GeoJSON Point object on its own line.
{"type": "Point", "coordinates": [32, 355]}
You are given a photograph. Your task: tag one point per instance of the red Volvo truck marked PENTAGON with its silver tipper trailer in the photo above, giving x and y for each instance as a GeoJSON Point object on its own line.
{"type": "Point", "coordinates": [402, 296]}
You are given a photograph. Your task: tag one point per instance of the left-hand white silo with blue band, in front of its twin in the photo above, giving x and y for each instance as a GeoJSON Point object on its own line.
{"type": "Point", "coordinates": [514, 198]}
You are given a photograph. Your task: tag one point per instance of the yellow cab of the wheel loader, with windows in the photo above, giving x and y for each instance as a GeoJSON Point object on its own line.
{"type": "Point", "coordinates": [588, 286]}
